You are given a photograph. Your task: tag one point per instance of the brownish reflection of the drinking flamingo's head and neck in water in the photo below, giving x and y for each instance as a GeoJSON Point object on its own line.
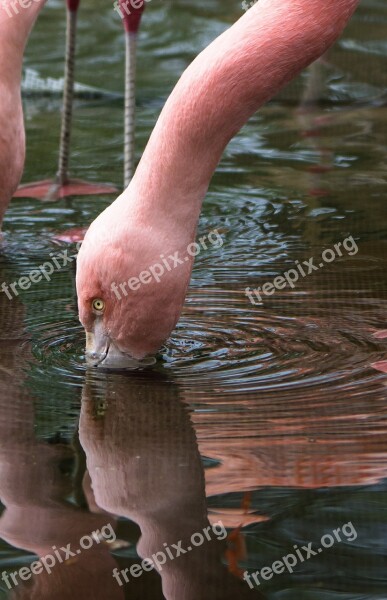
{"type": "Point", "coordinates": [144, 464]}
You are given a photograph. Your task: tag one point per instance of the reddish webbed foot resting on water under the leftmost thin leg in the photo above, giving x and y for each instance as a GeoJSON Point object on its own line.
{"type": "Point", "coordinates": [49, 190]}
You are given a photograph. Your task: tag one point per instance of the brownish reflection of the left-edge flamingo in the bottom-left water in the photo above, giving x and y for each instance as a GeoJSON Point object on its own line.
{"type": "Point", "coordinates": [35, 486]}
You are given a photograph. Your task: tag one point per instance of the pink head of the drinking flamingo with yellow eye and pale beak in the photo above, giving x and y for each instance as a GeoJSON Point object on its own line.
{"type": "Point", "coordinates": [130, 292]}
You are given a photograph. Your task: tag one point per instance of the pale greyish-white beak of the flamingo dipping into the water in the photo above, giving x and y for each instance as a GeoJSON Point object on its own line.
{"type": "Point", "coordinates": [102, 352]}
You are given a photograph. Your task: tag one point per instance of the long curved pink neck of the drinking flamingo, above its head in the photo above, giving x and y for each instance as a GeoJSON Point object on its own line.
{"type": "Point", "coordinates": [217, 94]}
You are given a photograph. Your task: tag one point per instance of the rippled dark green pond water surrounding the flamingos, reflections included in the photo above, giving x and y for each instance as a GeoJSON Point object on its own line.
{"type": "Point", "coordinates": [268, 416]}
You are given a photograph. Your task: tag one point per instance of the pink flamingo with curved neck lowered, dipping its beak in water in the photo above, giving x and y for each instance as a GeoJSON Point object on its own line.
{"type": "Point", "coordinates": [157, 215]}
